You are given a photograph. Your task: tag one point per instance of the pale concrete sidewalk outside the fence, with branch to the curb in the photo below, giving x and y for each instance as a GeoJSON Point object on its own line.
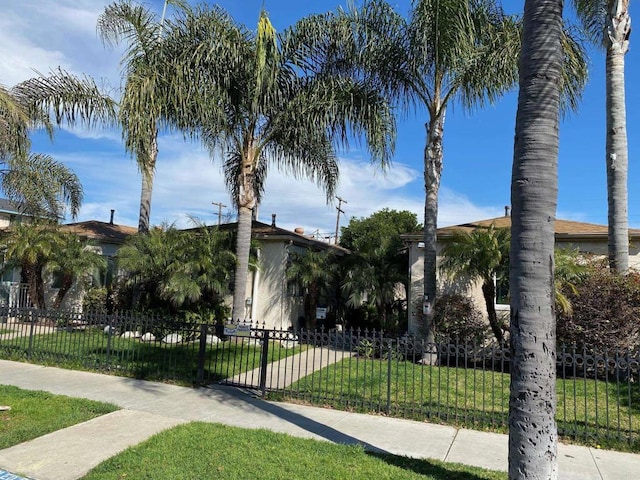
{"type": "Point", "coordinates": [149, 407]}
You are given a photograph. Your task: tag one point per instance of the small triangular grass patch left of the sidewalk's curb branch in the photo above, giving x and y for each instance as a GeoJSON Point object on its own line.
{"type": "Point", "coordinates": [35, 413]}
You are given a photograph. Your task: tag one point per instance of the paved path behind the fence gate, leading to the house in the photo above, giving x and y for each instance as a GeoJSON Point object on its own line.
{"type": "Point", "coordinates": [289, 370]}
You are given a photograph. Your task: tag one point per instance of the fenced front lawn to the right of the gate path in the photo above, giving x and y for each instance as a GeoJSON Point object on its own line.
{"type": "Point", "coordinates": [589, 411]}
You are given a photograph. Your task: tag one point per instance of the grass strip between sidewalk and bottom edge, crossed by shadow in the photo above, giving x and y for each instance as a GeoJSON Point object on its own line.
{"type": "Point", "coordinates": [203, 450]}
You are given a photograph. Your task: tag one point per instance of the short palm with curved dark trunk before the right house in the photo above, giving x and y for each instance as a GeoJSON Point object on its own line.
{"type": "Point", "coordinates": [480, 254]}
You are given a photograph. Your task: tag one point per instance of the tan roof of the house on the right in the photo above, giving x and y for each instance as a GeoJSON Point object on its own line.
{"type": "Point", "coordinates": [564, 229]}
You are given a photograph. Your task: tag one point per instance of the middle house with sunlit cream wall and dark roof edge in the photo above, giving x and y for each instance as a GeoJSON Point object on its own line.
{"type": "Point", "coordinates": [271, 299]}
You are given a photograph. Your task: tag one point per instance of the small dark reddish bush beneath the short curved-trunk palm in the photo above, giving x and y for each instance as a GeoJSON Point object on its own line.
{"type": "Point", "coordinates": [457, 319]}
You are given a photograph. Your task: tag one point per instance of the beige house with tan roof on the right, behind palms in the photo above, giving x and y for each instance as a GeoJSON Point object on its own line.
{"type": "Point", "coordinates": [588, 238]}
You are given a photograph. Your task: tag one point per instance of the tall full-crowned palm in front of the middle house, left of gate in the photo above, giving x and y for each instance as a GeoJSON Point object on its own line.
{"type": "Point", "coordinates": [263, 101]}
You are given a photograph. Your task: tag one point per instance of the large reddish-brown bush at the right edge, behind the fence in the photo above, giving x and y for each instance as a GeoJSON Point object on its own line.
{"type": "Point", "coordinates": [606, 310]}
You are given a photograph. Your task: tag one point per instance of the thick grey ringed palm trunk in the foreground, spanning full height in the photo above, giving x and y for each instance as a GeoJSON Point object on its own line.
{"type": "Point", "coordinates": [534, 189]}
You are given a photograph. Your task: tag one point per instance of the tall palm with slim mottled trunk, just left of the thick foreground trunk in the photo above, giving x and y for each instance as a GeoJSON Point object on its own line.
{"type": "Point", "coordinates": [450, 51]}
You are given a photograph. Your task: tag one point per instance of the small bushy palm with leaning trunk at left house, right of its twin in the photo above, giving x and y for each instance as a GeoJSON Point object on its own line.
{"type": "Point", "coordinates": [71, 259]}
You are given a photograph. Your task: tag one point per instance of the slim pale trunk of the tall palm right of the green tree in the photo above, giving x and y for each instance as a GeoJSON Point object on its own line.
{"type": "Point", "coordinates": [432, 173]}
